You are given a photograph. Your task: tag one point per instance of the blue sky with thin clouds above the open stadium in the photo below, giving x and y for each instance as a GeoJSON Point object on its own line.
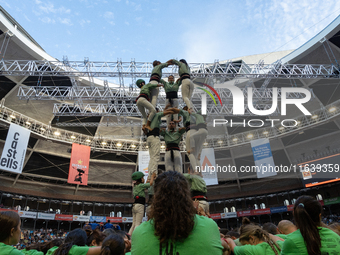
{"type": "Point", "coordinates": [145, 30]}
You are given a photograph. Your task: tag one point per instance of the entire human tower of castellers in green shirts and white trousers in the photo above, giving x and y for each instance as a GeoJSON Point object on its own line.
{"type": "Point", "coordinates": [193, 125]}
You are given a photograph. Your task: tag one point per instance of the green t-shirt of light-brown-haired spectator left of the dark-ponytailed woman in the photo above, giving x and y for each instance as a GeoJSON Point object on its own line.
{"type": "Point", "coordinates": [259, 249]}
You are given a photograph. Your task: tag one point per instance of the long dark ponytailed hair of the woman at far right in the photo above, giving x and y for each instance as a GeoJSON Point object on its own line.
{"type": "Point", "coordinates": [307, 212]}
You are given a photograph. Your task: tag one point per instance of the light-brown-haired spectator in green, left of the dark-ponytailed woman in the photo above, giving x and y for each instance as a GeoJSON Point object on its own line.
{"type": "Point", "coordinates": [255, 241]}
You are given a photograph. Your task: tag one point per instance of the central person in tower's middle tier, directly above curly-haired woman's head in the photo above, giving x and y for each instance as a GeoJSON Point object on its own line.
{"type": "Point", "coordinates": [172, 138]}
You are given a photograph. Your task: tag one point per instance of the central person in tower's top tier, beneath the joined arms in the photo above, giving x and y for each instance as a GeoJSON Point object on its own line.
{"type": "Point", "coordinates": [171, 90]}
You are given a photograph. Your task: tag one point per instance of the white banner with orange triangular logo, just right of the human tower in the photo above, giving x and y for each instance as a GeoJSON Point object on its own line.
{"type": "Point", "coordinates": [208, 166]}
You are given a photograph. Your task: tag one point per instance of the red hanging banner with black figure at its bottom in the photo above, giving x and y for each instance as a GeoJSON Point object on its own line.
{"type": "Point", "coordinates": [79, 165]}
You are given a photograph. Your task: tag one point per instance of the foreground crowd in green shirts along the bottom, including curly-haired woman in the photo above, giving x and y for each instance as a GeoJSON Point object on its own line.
{"type": "Point", "coordinates": [176, 228]}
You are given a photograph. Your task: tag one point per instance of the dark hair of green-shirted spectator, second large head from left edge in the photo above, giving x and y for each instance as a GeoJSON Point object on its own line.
{"type": "Point", "coordinates": [75, 237]}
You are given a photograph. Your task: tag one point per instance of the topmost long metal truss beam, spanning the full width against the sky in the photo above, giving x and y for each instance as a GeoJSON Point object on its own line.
{"type": "Point", "coordinates": [143, 69]}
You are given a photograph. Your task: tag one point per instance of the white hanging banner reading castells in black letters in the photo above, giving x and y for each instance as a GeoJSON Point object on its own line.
{"type": "Point", "coordinates": [14, 152]}
